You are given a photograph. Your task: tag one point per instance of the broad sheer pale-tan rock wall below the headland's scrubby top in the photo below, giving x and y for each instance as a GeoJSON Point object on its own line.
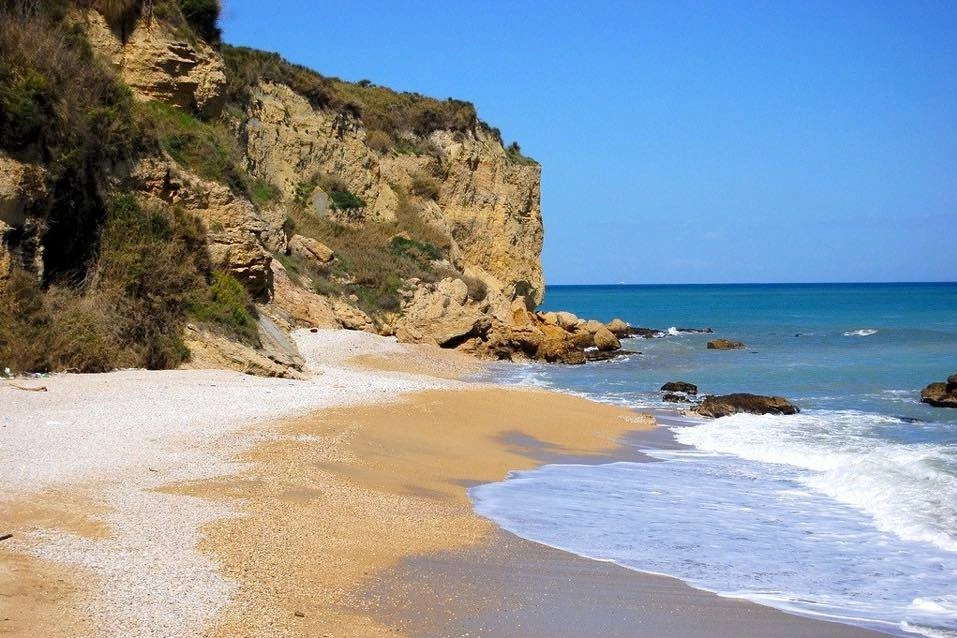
{"type": "Point", "coordinates": [487, 206]}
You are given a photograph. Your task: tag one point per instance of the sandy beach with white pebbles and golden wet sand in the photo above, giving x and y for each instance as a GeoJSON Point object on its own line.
{"type": "Point", "coordinates": [209, 503]}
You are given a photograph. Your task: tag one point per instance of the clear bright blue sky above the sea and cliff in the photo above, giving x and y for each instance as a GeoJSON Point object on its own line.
{"type": "Point", "coordinates": [685, 142]}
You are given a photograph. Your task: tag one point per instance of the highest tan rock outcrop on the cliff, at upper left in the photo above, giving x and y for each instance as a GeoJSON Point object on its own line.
{"type": "Point", "coordinates": [158, 64]}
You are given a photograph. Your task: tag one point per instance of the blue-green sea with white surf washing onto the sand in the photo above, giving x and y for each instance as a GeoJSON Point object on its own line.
{"type": "Point", "coordinates": [846, 511]}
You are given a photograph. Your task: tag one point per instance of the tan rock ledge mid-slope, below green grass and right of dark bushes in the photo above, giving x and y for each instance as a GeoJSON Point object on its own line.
{"type": "Point", "coordinates": [236, 233]}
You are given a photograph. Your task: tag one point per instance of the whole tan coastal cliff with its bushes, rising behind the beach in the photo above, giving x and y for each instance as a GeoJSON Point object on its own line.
{"type": "Point", "coordinates": [284, 198]}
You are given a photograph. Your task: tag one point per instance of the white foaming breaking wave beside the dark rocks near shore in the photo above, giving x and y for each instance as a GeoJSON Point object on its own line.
{"type": "Point", "coordinates": [909, 490]}
